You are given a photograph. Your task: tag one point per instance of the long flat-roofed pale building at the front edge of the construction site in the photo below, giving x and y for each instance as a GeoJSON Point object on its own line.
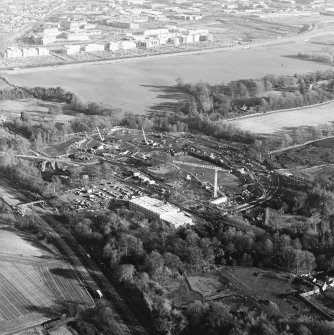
{"type": "Point", "coordinates": [156, 209]}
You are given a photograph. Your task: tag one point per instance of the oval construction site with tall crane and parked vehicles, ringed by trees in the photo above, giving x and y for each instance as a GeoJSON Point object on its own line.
{"type": "Point", "coordinates": [195, 176]}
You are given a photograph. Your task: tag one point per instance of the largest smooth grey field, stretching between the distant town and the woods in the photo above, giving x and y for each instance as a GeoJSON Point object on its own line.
{"type": "Point", "coordinates": [149, 81]}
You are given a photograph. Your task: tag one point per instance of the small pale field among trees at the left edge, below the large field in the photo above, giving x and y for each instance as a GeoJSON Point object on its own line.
{"type": "Point", "coordinates": [37, 109]}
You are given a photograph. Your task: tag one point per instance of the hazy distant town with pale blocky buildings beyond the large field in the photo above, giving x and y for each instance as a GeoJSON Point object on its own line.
{"type": "Point", "coordinates": [59, 32]}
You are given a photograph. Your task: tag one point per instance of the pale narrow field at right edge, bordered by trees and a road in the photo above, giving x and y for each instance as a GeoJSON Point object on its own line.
{"type": "Point", "coordinates": [272, 123]}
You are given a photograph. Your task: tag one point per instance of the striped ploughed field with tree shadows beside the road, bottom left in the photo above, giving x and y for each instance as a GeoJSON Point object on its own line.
{"type": "Point", "coordinates": [33, 283]}
